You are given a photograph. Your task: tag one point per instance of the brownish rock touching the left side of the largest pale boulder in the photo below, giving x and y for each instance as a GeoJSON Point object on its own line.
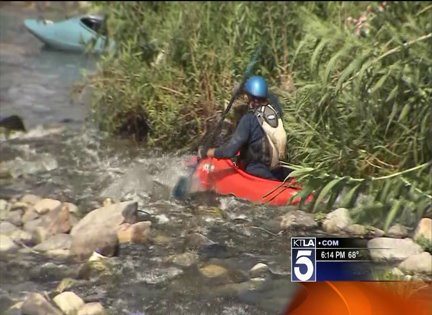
{"type": "Point", "coordinates": [56, 221]}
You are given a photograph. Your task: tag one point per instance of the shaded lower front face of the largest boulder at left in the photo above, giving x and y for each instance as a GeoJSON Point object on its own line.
{"type": "Point", "coordinates": [101, 239]}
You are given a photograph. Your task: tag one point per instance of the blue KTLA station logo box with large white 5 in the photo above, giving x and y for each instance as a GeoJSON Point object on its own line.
{"type": "Point", "coordinates": [303, 262]}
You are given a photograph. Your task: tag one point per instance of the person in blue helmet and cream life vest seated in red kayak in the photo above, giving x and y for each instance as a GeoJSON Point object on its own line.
{"type": "Point", "coordinates": [260, 137]}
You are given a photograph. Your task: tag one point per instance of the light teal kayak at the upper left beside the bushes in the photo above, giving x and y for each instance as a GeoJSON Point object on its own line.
{"type": "Point", "coordinates": [72, 34]}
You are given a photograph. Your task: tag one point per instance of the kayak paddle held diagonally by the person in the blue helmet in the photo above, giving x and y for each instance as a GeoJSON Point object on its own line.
{"type": "Point", "coordinates": [182, 188]}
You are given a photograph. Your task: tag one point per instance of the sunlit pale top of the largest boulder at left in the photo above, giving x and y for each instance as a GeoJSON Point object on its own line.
{"type": "Point", "coordinates": [110, 217]}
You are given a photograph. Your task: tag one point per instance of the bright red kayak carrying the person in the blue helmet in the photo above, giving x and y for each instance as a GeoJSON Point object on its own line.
{"type": "Point", "coordinates": [225, 178]}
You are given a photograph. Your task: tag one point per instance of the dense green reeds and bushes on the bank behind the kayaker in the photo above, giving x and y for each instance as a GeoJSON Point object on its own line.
{"type": "Point", "coordinates": [357, 100]}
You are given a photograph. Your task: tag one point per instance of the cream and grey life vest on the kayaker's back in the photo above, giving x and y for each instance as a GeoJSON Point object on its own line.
{"type": "Point", "coordinates": [272, 125]}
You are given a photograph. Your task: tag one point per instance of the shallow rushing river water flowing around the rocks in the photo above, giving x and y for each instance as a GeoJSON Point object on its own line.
{"type": "Point", "coordinates": [67, 159]}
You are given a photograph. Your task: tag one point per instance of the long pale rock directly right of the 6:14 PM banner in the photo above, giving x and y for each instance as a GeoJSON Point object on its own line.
{"type": "Point", "coordinates": [389, 249]}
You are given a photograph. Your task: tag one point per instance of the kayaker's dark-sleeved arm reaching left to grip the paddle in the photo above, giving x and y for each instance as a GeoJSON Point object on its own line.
{"type": "Point", "coordinates": [238, 139]}
